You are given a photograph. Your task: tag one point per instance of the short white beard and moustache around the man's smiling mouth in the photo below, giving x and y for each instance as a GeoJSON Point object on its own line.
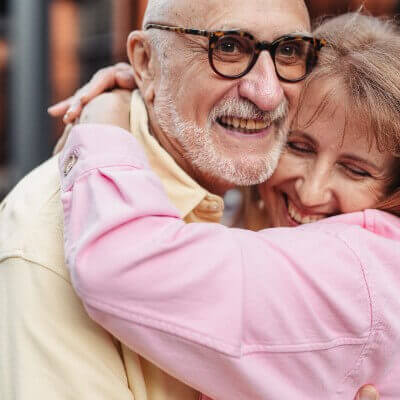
{"type": "Point", "coordinates": [200, 150]}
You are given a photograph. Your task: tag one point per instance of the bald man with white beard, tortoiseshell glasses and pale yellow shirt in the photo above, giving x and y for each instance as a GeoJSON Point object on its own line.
{"type": "Point", "coordinates": [191, 99]}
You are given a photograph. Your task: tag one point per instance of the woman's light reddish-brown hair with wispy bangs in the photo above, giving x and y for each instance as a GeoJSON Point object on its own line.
{"type": "Point", "coordinates": [362, 57]}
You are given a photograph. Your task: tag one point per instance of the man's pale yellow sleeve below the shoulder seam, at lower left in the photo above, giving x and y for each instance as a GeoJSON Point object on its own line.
{"type": "Point", "coordinates": [49, 348]}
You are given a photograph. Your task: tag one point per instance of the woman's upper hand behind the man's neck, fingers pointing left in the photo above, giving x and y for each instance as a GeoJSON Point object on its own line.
{"type": "Point", "coordinates": [117, 76]}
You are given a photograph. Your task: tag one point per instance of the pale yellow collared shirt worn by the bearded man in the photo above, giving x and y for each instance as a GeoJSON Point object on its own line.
{"type": "Point", "coordinates": [49, 348]}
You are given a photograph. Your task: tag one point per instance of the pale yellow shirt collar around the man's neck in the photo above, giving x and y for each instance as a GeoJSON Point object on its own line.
{"type": "Point", "coordinates": [185, 193]}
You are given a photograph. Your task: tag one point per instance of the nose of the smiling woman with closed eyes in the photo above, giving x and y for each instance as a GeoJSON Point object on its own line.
{"type": "Point", "coordinates": [314, 189]}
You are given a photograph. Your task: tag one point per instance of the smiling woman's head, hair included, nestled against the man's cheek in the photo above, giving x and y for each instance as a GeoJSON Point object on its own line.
{"type": "Point", "coordinates": [299, 192]}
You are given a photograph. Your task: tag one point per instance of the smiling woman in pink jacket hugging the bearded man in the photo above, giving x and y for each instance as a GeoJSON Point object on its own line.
{"type": "Point", "coordinates": [307, 309]}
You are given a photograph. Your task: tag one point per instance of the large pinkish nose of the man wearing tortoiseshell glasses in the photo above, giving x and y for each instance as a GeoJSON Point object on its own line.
{"type": "Point", "coordinates": [261, 85]}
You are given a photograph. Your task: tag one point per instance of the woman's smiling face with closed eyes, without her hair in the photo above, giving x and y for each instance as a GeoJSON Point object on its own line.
{"type": "Point", "coordinates": [324, 172]}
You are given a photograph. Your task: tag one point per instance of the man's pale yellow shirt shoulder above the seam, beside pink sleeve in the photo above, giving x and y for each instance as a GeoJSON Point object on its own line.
{"type": "Point", "coordinates": [31, 219]}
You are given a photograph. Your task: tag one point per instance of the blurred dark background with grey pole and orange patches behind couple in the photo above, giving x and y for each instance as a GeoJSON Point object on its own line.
{"type": "Point", "coordinates": [49, 48]}
